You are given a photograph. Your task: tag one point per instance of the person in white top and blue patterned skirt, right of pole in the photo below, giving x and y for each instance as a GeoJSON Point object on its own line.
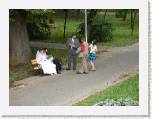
{"type": "Point", "coordinates": [92, 54]}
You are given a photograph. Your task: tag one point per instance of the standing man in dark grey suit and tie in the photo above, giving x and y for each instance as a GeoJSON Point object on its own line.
{"type": "Point", "coordinates": [72, 45]}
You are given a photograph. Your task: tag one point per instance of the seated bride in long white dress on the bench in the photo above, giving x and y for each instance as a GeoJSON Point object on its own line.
{"type": "Point", "coordinates": [47, 65]}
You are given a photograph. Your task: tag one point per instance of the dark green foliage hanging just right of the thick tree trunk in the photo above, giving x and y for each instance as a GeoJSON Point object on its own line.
{"type": "Point", "coordinates": [38, 23]}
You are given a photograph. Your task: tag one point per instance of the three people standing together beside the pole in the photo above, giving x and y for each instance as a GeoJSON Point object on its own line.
{"type": "Point", "coordinates": [84, 51]}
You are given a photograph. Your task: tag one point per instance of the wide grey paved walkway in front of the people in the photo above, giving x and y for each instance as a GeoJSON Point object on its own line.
{"type": "Point", "coordinates": [69, 87]}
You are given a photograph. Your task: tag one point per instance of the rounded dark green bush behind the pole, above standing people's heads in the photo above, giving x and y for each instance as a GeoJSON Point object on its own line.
{"type": "Point", "coordinates": [99, 30]}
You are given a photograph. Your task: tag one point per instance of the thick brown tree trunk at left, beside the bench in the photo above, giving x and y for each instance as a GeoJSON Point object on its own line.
{"type": "Point", "coordinates": [19, 49]}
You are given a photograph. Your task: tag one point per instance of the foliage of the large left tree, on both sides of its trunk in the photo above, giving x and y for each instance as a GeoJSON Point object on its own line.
{"type": "Point", "coordinates": [38, 21]}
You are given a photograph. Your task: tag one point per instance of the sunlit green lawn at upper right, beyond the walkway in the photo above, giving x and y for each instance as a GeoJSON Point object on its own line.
{"type": "Point", "coordinates": [122, 32]}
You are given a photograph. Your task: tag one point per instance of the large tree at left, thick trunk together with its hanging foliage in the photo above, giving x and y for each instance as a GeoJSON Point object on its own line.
{"type": "Point", "coordinates": [25, 23]}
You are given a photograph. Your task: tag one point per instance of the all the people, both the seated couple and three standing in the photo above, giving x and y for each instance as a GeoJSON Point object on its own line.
{"type": "Point", "coordinates": [76, 48]}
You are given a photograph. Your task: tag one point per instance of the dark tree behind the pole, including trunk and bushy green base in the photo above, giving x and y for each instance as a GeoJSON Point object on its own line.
{"type": "Point", "coordinates": [98, 27]}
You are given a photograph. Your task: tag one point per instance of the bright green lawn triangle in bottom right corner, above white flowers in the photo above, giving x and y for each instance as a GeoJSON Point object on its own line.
{"type": "Point", "coordinates": [125, 89]}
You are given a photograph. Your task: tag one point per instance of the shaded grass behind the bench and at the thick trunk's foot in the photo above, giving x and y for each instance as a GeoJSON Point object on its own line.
{"type": "Point", "coordinates": [24, 71]}
